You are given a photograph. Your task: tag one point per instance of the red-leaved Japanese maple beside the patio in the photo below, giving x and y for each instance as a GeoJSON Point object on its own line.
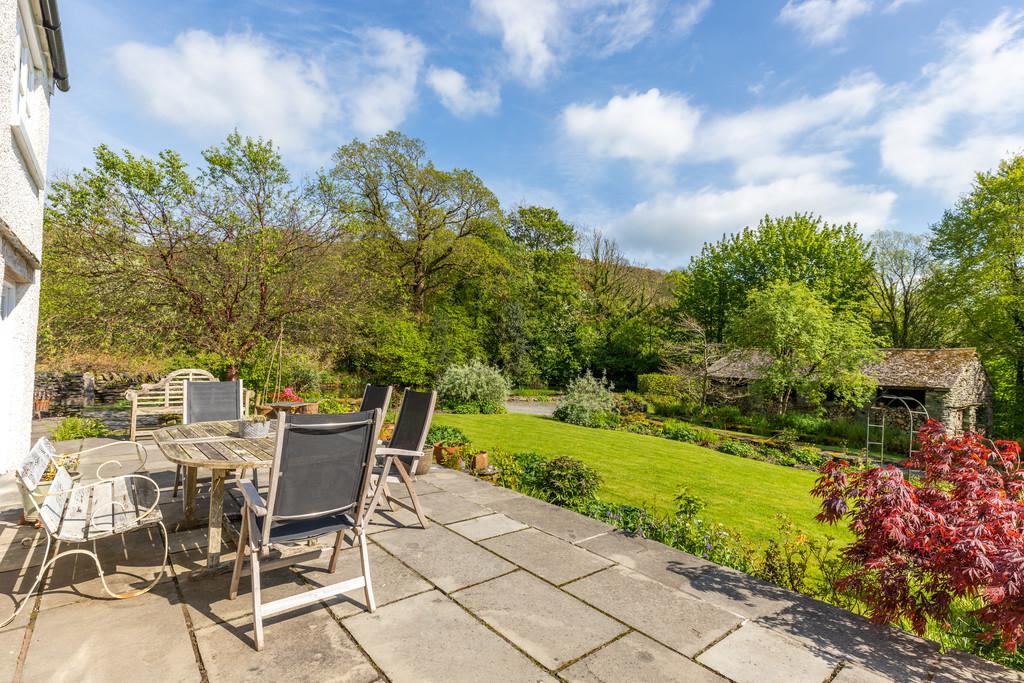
{"type": "Point", "coordinates": [959, 532]}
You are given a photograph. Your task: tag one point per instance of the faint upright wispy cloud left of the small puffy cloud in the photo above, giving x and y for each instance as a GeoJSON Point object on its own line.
{"type": "Point", "coordinates": [392, 66]}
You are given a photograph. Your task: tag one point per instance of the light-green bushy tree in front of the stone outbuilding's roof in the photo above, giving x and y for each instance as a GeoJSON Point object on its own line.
{"type": "Point", "coordinates": [809, 350]}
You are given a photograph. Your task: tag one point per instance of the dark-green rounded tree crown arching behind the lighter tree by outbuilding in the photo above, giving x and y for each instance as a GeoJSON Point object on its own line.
{"type": "Point", "coordinates": [831, 260]}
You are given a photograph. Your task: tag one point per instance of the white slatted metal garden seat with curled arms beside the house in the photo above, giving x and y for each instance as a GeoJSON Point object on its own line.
{"type": "Point", "coordinates": [89, 514]}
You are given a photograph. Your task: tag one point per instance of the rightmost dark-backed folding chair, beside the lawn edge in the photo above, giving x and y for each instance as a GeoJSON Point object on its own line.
{"type": "Point", "coordinates": [403, 453]}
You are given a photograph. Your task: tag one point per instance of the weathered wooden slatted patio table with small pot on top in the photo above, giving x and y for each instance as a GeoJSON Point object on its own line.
{"type": "Point", "coordinates": [218, 447]}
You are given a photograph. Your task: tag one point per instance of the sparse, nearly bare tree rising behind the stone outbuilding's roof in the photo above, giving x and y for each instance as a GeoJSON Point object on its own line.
{"type": "Point", "coordinates": [904, 284]}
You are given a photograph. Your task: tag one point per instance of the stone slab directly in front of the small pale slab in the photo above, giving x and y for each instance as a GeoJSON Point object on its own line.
{"type": "Point", "coordinates": [548, 558]}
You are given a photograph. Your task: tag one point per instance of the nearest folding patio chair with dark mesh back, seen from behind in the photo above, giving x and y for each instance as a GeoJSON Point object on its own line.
{"type": "Point", "coordinates": [319, 481]}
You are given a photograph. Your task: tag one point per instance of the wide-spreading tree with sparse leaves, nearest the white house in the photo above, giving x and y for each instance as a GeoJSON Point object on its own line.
{"type": "Point", "coordinates": [220, 259]}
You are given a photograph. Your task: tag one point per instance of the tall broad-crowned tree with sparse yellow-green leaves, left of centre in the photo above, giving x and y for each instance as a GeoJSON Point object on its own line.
{"type": "Point", "coordinates": [436, 224]}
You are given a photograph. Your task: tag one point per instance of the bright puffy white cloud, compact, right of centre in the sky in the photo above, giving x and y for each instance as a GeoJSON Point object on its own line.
{"type": "Point", "coordinates": [649, 127]}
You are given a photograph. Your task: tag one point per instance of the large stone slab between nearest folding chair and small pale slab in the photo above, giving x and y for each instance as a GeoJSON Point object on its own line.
{"type": "Point", "coordinates": [443, 558]}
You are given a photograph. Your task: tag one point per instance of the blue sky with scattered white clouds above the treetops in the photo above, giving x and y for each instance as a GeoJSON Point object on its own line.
{"type": "Point", "coordinates": [663, 124]}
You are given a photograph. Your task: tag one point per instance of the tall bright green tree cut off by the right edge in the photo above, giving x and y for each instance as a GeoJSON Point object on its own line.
{"type": "Point", "coordinates": [982, 244]}
